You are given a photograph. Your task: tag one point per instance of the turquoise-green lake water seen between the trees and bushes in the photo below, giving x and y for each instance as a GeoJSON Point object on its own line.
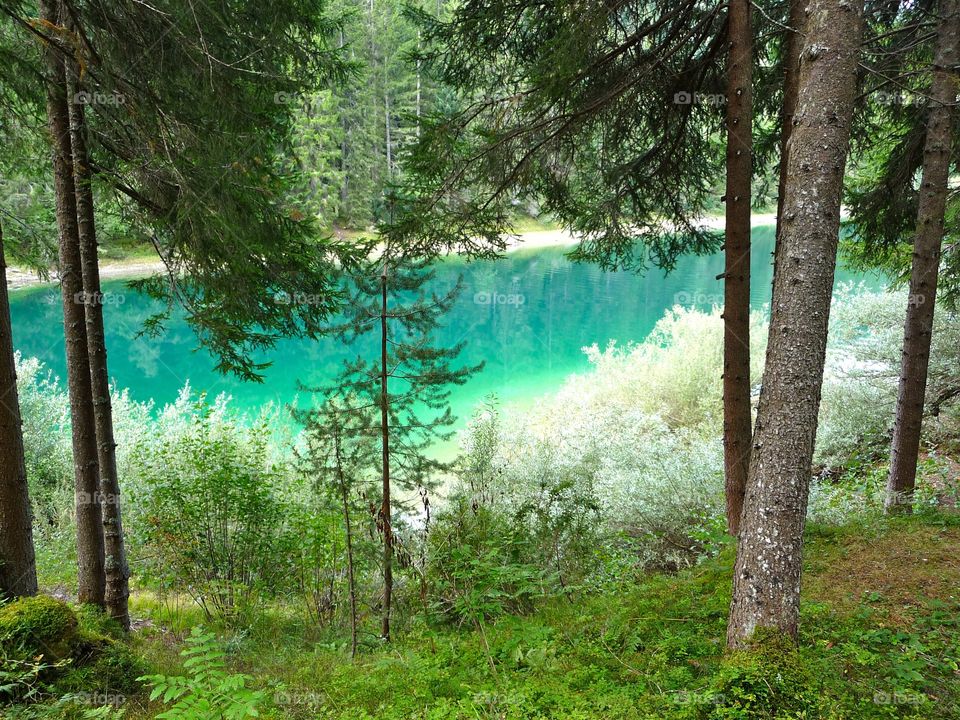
{"type": "Point", "coordinates": [527, 316]}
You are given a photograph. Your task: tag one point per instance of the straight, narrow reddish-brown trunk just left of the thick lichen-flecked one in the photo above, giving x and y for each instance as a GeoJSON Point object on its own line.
{"type": "Point", "coordinates": [737, 422]}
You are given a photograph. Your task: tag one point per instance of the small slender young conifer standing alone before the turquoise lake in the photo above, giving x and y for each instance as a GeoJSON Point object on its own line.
{"type": "Point", "coordinates": [402, 377]}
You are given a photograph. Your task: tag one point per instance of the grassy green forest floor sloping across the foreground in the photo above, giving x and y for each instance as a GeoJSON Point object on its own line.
{"type": "Point", "coordinates": [879, 638]}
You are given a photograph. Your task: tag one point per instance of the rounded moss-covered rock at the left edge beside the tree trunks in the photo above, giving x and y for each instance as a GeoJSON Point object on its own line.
{"type": "Point", "coordinates": [39, 625]}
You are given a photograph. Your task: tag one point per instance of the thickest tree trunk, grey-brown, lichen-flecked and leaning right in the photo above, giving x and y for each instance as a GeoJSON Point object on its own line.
{"type": "Point", "coordinates": [766, 583]}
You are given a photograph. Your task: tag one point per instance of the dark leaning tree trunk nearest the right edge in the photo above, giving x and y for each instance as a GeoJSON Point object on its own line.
{"type": "Point", "coordinates": [918, 328]}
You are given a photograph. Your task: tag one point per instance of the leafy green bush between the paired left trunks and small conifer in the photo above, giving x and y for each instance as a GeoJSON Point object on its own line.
{"type": "Point", "coordinates": [208, 507]}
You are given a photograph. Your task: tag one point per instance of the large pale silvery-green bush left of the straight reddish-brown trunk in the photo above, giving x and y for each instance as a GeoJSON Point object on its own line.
{"type": "Point", "coordinates": [631, 445]}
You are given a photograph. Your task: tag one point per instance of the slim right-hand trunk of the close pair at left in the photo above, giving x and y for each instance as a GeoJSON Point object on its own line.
{"type": "Point", "coordinates": [117, 590]}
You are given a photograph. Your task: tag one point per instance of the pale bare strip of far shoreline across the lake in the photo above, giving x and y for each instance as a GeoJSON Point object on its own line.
{"type": "Point", "coordinates": [19, 278]}
